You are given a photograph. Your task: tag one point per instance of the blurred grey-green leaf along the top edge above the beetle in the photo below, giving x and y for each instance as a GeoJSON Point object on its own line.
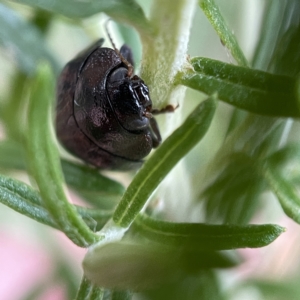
{"type": "Point", "coordinates": [127, 11]}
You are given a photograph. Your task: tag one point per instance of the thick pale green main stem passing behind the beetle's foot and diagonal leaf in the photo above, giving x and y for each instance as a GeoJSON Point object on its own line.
{"type": "Point", "coordinates": [163, 56]}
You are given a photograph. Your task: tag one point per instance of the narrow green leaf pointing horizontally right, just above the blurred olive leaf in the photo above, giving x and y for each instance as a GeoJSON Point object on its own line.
{"type": "Point", "coordinates": [198, 236]}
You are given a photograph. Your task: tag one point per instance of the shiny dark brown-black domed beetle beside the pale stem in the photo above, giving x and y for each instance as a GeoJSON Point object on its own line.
{"type": "Point", "coordinates": [103, 115]}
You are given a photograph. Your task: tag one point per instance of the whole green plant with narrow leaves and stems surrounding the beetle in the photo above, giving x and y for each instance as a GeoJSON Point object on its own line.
{"type": "Point", "coordinates": [145, 240]}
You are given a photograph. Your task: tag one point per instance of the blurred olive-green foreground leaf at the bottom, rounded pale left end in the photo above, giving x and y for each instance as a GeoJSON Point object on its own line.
{"type": "Point", "coordinates": [137, 266]}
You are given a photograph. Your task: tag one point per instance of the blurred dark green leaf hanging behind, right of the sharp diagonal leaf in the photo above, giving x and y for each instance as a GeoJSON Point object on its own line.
{"type": "Point", "coordinates": [233, 196]}
